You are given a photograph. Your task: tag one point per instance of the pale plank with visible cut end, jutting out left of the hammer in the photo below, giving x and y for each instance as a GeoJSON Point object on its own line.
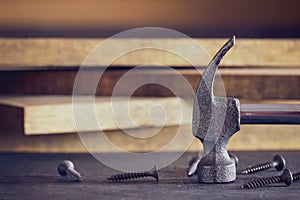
{"type": "Point", "coordinates": [54, 114]}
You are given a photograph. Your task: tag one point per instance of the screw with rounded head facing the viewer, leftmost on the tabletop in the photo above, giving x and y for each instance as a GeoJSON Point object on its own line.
{"type": "Point", "coordinates": [66, 169]}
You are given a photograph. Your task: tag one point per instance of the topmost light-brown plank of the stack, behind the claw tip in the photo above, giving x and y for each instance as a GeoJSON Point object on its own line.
{"type": "Point", "coordinates": [49, 53]}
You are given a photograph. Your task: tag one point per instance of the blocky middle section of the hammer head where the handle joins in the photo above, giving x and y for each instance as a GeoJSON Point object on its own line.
{"type": "Point", "coordinates": [216, 119]}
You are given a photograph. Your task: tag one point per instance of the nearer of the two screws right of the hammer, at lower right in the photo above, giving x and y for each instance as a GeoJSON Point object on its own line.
{"type": "Point", "coordinates": [286, 177]}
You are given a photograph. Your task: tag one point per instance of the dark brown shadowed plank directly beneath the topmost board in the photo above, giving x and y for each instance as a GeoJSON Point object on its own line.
{"type": "Point", "coordinates": [246, 84]}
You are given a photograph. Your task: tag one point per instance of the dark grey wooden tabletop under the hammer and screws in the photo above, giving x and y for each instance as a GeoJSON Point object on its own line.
{"type": "Point", "coordinates": [34, 176]}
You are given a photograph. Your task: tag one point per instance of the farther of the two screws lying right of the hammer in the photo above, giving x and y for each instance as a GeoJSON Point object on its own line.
{"type": "Point", "coordinates": [278, 163]}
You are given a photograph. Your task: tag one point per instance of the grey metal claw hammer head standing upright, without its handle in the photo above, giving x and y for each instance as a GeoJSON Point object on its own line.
{"type": "Point", "coordinates": [215, 120]}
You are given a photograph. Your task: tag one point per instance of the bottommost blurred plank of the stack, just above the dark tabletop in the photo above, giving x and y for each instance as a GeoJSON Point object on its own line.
{"type": "Point", "coordinates": [250, 138]}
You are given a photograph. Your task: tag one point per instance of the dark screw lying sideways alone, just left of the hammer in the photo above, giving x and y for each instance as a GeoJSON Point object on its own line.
{"type": "Point", "coordinates": [132, 175]}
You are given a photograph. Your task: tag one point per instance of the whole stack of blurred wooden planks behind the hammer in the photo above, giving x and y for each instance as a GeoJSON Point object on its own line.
{"type": "Point", "coordinates": [38, 74]}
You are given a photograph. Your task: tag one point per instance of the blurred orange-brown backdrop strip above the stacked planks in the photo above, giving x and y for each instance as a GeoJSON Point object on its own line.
{"type": "Point", "coordinates": [214, 18]}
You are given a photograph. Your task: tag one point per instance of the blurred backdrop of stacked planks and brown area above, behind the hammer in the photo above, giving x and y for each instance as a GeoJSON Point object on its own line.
{"type": "Point", "coordinates": [43, 43]}
